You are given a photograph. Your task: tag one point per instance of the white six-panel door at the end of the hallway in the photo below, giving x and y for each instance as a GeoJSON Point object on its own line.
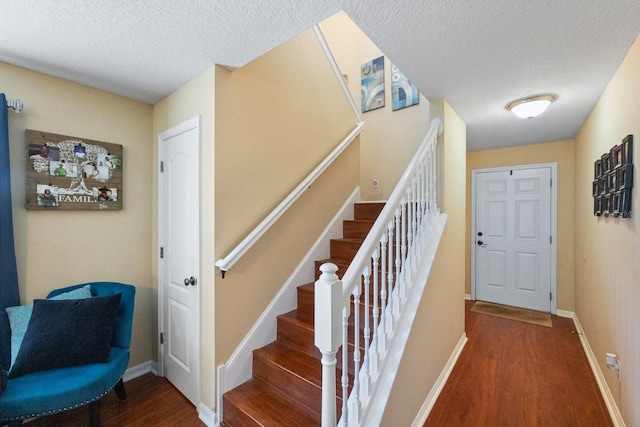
{"type": "Point", "coordinates": [513, 237]}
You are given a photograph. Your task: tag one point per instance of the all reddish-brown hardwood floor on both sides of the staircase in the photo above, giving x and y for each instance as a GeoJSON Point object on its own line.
{"type": "Point", "coordinates": [509, 374]}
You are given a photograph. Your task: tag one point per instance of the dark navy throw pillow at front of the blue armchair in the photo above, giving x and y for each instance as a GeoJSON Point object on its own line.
{"type": "Point", "coordinates": [65, 333]}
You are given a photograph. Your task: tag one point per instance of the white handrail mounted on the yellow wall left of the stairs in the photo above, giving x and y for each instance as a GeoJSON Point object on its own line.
{"type": "Point", "coordinates": [228, 261]}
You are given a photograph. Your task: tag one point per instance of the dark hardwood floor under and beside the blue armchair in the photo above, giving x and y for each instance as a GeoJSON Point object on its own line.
{"type": "Point", "coordinates": [152, 401]}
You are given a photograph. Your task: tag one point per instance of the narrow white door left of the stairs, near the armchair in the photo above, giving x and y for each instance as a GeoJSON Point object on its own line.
{"type": "Point", "coordinates": [179, 240]}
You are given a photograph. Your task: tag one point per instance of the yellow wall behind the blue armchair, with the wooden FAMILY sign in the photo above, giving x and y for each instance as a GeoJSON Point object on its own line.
{"type": "Point", "coordinates": [57, 249]}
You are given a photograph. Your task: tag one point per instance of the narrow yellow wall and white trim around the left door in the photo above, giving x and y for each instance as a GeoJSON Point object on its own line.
{"type": "Point", "coordinates": [196, 98]}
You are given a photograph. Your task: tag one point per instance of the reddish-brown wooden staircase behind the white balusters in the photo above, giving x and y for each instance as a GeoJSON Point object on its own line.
{"type": "Point", "coordinates": [285, 389]}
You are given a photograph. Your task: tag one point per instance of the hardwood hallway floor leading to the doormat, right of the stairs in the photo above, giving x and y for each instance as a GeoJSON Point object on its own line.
{"type": "Point", "coordinates": [517, 374]}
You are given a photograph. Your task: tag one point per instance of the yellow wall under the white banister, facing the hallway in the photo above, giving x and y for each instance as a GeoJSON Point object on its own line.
{"type": "Point", "coordinates": [439, 323]}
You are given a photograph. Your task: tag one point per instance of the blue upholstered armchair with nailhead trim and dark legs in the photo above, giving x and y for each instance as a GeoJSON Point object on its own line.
{"type": "Point", "coordinates": [57, 390]}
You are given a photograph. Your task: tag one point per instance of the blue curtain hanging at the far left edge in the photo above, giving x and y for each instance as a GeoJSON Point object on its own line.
{"type": "Point", "coordinates": [9, 293]}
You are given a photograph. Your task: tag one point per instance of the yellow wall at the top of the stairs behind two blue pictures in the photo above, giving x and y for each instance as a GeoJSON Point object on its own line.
{"type": "Point", "coordinates": [390, 138]}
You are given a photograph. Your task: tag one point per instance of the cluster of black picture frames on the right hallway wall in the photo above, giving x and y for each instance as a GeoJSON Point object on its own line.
{"type": "Point", "coordinates": [613, 181]}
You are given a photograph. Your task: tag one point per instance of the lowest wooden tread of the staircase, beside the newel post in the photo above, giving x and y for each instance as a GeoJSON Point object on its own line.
{"type": "Point", "coordinates": [267, 406]}
